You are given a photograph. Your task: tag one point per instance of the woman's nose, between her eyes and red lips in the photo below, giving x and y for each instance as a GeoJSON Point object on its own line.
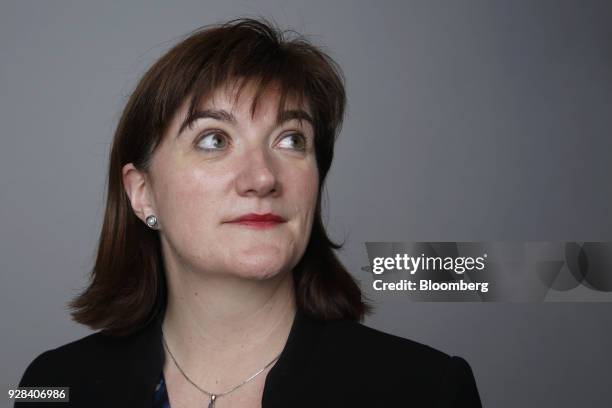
{"type": "Point", "coordinates": [257, 176]}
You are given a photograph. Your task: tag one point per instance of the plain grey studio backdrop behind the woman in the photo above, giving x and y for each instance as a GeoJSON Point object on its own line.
{"type": "Point", "coordinates": [467, 120]}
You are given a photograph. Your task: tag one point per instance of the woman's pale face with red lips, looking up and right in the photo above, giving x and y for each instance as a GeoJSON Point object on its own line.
{"type": "Point", "coordinates": [227, 165]}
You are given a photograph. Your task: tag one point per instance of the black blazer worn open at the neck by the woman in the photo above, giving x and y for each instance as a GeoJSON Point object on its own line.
{"type": "Point", "coordinates": [324, 364]}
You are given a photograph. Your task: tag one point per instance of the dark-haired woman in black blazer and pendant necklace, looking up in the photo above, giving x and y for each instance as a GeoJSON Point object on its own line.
{"type": "Point", "coordinates": [215, 283]}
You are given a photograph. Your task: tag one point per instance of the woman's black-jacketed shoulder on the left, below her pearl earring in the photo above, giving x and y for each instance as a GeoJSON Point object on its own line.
{"type": "Point", "coordinates": [94, 364]}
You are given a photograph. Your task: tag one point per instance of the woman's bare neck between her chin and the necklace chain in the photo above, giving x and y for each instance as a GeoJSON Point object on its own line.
{"type": "Point", "coordinates": [221, 329]}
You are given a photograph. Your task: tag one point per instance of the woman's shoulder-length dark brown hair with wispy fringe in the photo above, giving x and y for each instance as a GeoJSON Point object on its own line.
{"type": "Point", "coordinates": [128, 286]}
